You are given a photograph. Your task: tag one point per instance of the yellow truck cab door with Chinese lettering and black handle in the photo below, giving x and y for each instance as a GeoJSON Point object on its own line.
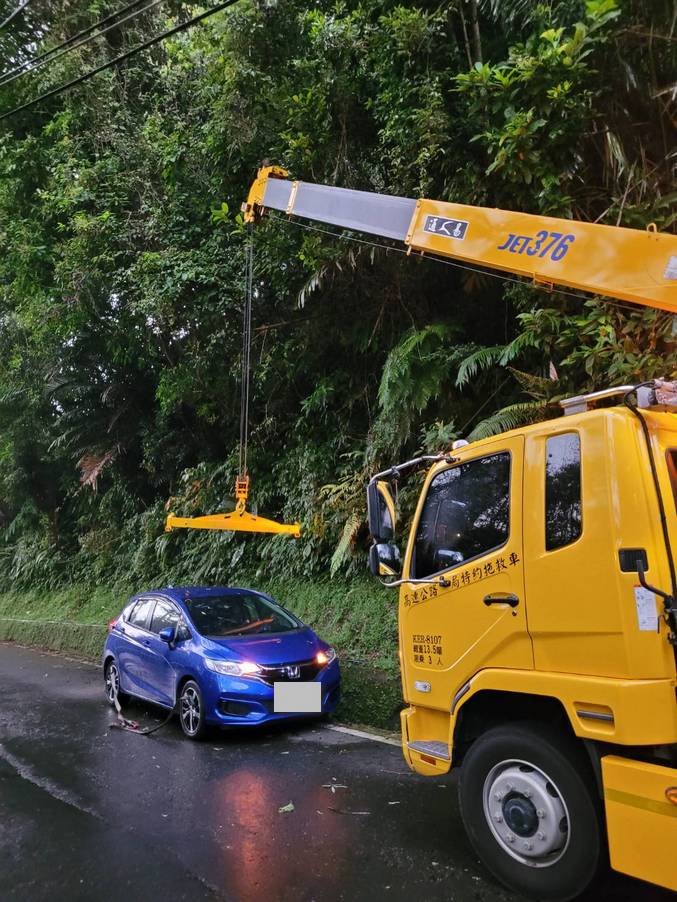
{"type": "Point", "coordinates": [469, 531]}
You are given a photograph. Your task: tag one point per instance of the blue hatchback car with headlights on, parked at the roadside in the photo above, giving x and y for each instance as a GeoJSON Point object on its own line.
{"type": "Point", "coordinates": [221, 655]}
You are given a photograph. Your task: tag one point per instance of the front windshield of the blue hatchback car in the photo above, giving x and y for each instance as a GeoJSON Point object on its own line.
{"type": "Point", "coordinates": [238, 613]}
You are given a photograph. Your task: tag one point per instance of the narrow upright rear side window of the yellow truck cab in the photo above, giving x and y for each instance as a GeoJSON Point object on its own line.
{"type": "Point", "coordinates": [563, 519]}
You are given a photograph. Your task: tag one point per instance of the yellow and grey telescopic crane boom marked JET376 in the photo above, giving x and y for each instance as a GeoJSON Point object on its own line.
{"type": "Point", "coordinates": [627, 264]}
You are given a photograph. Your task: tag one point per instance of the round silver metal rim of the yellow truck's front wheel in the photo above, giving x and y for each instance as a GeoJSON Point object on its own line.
{"type": "Point", "coordinates": [526, 813]}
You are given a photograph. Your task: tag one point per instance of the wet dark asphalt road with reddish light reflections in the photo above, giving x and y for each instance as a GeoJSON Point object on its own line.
{"type": "Point", "coordinates": [87, 813]}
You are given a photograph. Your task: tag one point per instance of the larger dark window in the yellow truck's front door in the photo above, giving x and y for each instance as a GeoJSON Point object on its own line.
{"type": "Point", "coordinates": [466, 514]}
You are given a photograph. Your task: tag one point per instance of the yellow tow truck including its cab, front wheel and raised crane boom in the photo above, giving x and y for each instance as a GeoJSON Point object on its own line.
{"type": "Point", "coordinates": [537, 589]}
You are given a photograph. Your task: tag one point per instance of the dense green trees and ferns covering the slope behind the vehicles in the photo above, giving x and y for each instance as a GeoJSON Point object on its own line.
{"type": "Point", "coordinates": [122, 273]}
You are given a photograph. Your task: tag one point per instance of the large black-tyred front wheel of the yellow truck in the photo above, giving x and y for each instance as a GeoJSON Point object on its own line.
{"type": "Point", "coordinates": [531, 811]}
